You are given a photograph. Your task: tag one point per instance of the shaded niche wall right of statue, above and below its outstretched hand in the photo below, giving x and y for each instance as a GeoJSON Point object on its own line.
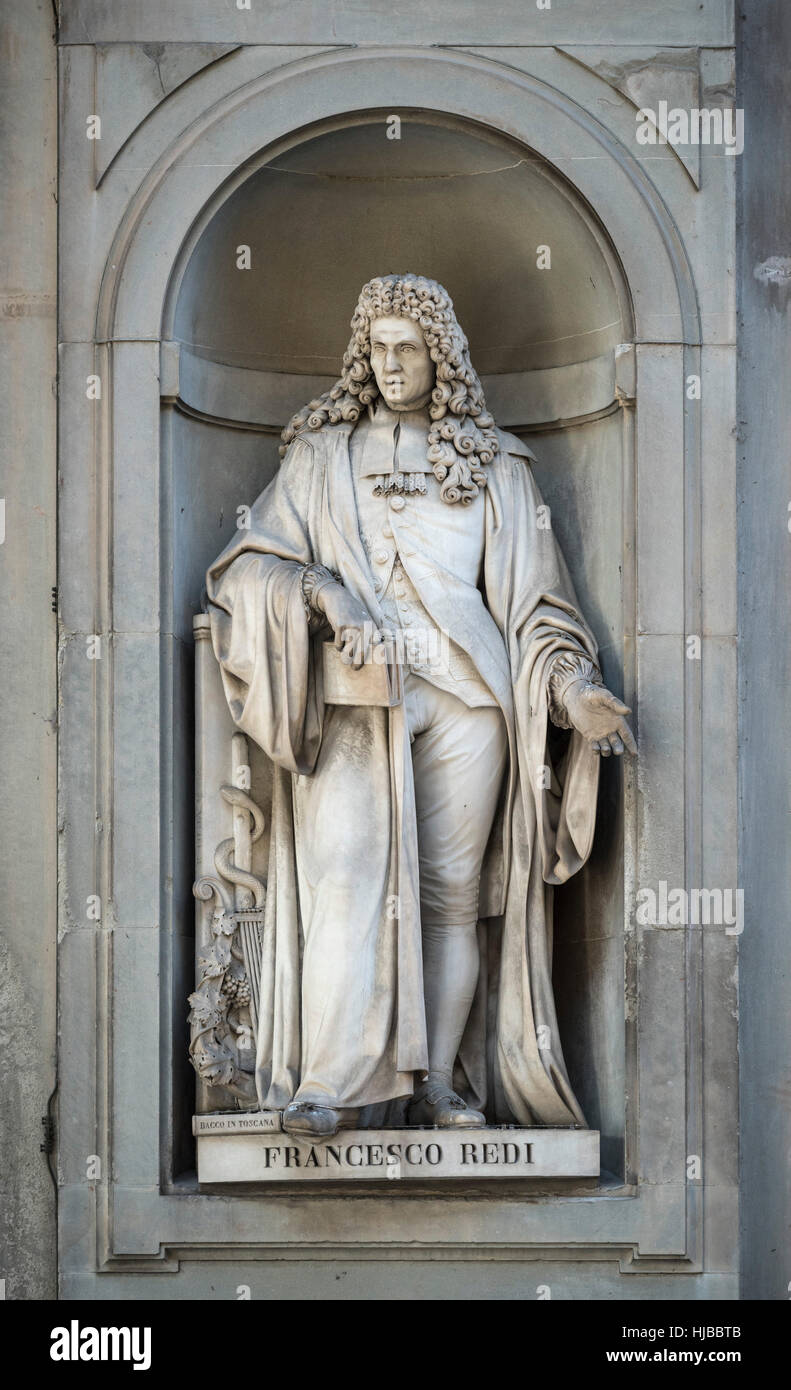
{"type": "Point", "coordinates": [580, 475]}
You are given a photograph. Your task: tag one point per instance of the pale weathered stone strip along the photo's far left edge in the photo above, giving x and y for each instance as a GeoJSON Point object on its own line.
{"type": "Point", "coordinates": [28, 644]}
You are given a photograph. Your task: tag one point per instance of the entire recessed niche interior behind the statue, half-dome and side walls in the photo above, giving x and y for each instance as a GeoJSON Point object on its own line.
{"type": "Point", "coordinates": [322, 220]}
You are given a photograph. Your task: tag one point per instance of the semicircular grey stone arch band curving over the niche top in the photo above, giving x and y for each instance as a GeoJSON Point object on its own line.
{"type": "Point", "coordinates": [266, 116]}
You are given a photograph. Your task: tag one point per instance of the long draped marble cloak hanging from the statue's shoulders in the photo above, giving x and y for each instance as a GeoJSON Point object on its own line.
{"type": "Point", "coordinates": [343, 946]}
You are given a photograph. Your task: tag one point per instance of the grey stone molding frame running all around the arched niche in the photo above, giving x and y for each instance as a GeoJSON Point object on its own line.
{"type": "Point", "coordinates": [142, 1221]}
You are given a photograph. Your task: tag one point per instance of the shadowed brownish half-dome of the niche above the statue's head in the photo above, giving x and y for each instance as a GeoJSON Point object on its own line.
{"type": "Point", "coordinates": [459, 202]}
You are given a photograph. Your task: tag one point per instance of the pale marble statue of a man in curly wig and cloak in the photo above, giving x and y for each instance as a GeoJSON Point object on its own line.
{"type": "Point", "coordinates": [408, 940]}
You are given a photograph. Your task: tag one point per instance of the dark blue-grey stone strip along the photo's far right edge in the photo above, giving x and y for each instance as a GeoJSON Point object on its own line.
{"type": "Point", "coordinates": [765, 653]}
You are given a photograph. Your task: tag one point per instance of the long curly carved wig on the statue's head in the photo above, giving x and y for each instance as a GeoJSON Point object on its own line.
{"type": "Point", "coordinates": [462, 439]}
